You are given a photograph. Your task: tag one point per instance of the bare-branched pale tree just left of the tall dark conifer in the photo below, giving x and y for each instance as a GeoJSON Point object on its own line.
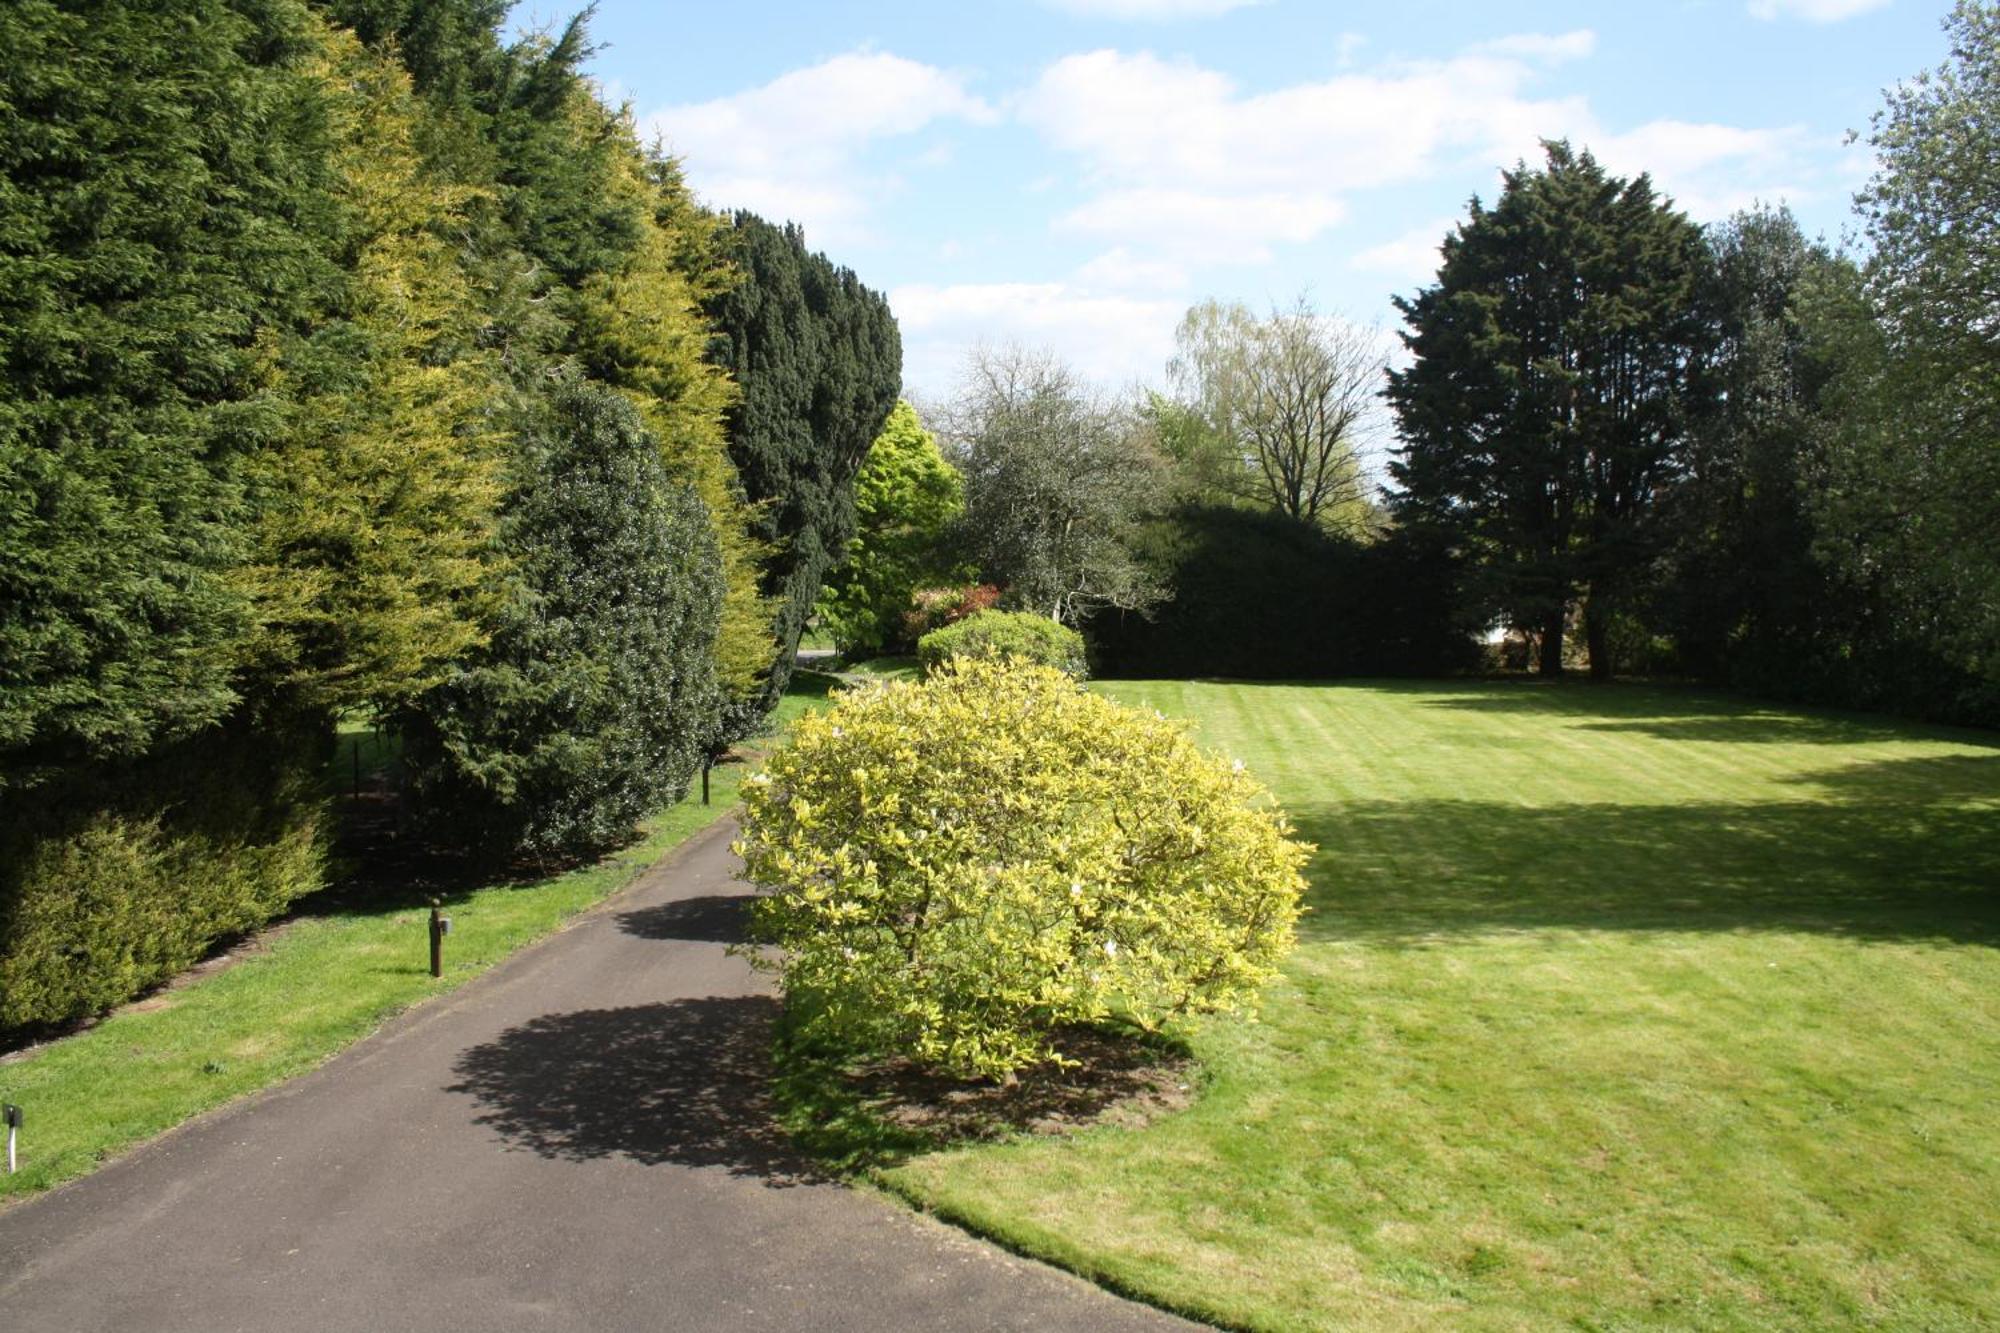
{"type": "Point", "coordinates": [1285, 405]}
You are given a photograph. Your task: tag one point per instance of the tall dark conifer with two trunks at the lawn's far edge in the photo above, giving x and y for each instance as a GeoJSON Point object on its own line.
{"type": "Point", "coordinates": [1557, 367]}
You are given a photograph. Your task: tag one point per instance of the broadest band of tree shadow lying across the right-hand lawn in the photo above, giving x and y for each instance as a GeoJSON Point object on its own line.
{"type": "Point", "coordinates": [1901, 850]}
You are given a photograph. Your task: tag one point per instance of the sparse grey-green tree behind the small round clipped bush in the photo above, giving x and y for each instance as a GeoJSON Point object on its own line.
{"type": "Point", "coordinates": [1057, 477]}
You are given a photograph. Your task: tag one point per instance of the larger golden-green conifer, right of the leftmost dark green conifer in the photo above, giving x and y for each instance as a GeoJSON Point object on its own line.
{"type": "Point", "coordinates": [375, 517]}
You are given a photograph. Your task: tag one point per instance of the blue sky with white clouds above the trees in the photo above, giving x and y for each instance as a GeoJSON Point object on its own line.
{"type": "Point", "coordinates": [1077, 173]}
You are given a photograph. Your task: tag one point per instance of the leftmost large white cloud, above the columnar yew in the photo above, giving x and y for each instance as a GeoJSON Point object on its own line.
{"type": "Point", "coordinates": [791, 149]}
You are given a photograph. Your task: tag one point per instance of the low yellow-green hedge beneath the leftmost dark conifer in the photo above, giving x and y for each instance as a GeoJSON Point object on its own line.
{"type": "Point", "coordinates": [115, 880]}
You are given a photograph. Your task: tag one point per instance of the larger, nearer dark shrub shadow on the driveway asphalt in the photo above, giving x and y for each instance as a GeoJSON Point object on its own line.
{"type": "Point", "coordinates": [675, 1084]}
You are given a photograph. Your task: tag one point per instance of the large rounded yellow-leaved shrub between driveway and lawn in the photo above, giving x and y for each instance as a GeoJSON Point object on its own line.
{"type": "Point", "coordinates": [965, 868]}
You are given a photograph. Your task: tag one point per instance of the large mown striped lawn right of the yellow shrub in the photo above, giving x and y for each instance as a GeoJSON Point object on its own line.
{"type": "Point", "coordinates": [1617, 1008]}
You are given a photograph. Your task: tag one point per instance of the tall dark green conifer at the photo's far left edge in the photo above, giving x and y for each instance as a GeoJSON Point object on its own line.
{"type": "Point", "coordinates": [157, 163]}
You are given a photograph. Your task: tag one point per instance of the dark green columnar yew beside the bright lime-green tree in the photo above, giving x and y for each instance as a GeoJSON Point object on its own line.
{"type": "Point", "coordinates": [819, 361]}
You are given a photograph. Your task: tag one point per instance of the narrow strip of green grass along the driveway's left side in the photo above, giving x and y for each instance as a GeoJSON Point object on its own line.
{"type": "Point", "coordinates": [301, 996]}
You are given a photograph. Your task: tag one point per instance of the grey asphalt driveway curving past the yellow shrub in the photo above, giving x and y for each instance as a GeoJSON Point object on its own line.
{"type": "Point", "coordinates": [579, 1140]}
